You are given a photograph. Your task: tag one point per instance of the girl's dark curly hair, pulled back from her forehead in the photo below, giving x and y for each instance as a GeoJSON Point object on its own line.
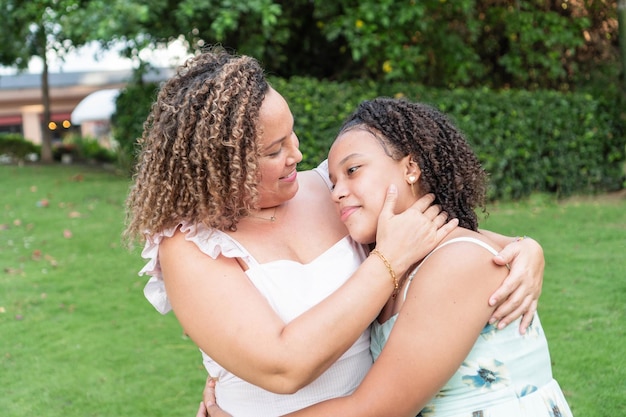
{"type": "Point", "coordinates": [450, 169]}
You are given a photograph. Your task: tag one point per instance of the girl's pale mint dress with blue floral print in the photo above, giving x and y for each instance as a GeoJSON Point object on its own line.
{"type": "Point", "coordinates": [506, 374]}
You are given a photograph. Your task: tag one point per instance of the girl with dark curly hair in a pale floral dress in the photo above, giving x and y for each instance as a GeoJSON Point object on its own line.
{"type": "Point", "coordinates": [435, 353]}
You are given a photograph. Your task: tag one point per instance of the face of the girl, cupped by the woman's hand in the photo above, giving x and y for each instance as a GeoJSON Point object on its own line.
{"type": "Point", "coordinates": [361, 172]}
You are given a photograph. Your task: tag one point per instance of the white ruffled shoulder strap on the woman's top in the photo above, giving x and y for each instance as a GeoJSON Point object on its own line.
{"type": "Point", "coordinates": [210, 241]}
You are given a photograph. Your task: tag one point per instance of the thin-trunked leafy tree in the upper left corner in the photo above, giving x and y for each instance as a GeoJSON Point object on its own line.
{"type": "Point", "coordinates": [37, 28]}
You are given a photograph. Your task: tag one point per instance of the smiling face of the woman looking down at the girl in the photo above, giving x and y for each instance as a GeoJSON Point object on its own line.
{"type": "Point", "coordinates": [279, 152]}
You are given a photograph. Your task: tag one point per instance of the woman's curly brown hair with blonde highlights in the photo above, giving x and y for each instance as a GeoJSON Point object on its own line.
{"type": "Point", "coordinates": [198, 159]}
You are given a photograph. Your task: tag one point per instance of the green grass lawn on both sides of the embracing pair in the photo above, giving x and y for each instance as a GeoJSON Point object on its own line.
{"type": "Point", "coordinates": [77, 337]}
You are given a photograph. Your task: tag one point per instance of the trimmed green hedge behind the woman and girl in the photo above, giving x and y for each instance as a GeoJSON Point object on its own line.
{"type": "Point", "coordinates": [540, 141]}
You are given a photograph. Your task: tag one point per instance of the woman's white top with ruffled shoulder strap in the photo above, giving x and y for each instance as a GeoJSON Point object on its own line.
{"type": "Point", "coordinates": [290, 288]}
